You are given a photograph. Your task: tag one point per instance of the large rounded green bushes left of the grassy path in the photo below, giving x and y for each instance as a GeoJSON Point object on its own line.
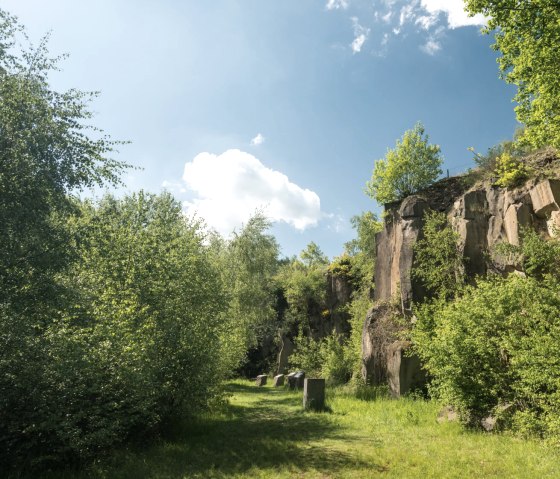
{"type": "Point", "coordinates": [135, 341]}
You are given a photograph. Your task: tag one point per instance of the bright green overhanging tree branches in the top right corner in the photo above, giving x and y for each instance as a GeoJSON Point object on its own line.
{"type": "Point", "coordinates": [527, 36]}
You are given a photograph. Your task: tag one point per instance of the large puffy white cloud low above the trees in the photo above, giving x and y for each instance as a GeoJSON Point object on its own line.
{"type": "Point", "coordinates": [230, 187]}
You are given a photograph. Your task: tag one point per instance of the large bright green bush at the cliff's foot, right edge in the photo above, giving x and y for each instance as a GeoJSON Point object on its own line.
{"type": "Point", "coordinates": [496, 345]}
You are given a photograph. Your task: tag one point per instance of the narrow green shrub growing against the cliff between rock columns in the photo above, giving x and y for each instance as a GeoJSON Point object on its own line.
{"type": "Point", "coordinates": [438, 262]}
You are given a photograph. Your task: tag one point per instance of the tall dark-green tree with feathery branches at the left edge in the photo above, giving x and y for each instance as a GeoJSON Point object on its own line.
{"type": "Point", "coordinates": [47, 150]}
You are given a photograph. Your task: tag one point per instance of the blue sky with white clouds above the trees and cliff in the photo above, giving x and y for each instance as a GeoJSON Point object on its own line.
{"type": "Point", "coordinates": [281, 106]}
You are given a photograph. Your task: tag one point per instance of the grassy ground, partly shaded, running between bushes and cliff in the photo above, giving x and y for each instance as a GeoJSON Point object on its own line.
{"type": "Point", "coordinates": [263, 433]}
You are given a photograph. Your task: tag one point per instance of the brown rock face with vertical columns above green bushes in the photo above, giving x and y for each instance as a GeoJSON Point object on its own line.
{"type": "Point", "coordinates": [483, 216]}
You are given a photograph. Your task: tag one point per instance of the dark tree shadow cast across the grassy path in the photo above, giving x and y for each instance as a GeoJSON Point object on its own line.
{"type": "Point", "coordinates": [269, 434]}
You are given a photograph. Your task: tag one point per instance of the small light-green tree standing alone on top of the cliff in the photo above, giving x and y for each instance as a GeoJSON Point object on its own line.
{"type": "Point", "coordinates": [411, 166]}
